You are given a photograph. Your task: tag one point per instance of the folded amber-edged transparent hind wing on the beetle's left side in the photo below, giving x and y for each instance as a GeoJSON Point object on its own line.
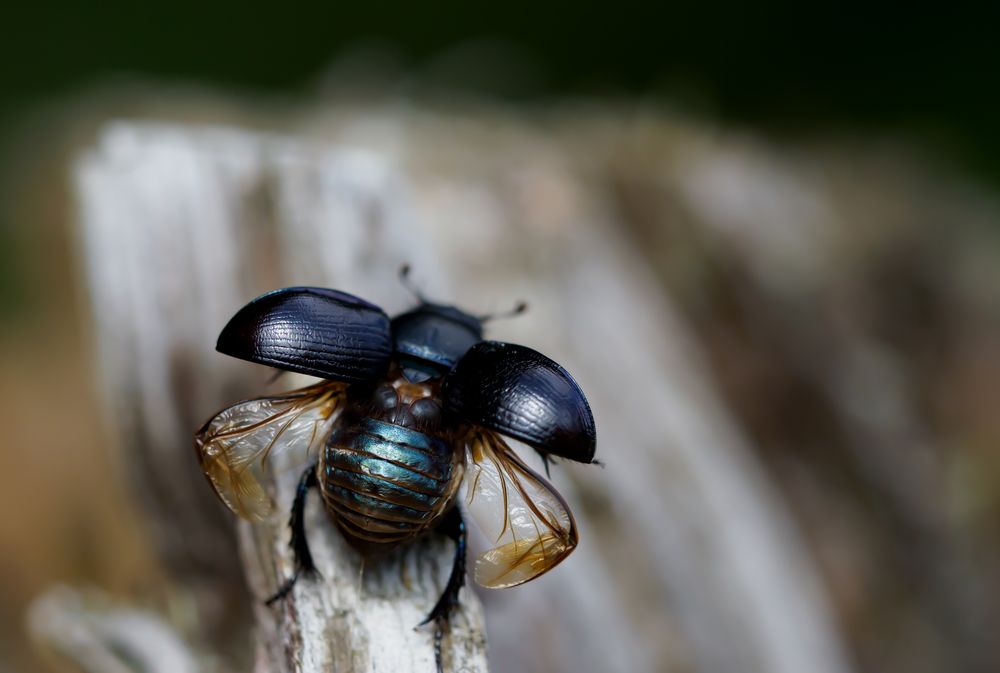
{"type": "Point", "coordinates": [235, 446]}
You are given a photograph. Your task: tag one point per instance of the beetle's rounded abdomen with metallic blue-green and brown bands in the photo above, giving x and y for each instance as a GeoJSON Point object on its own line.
{"type": "Point", "coordinates": [384, 482]}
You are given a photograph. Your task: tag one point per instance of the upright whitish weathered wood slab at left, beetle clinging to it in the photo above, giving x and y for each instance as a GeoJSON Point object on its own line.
{"type": "Point", "coordinates": [180, 227]}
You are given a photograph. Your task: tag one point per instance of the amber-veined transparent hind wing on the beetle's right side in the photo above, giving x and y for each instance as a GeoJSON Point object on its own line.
{"type": "Point", "coordinates": [527, 520]}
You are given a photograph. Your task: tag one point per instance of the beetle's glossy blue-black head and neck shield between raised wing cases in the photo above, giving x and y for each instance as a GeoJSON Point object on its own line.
{"type": "Point", "coordinates": [432, 338]}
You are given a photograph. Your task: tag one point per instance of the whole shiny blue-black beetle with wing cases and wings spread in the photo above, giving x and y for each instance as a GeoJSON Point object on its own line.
{"type": "Point", "coordinates": [405, 410]}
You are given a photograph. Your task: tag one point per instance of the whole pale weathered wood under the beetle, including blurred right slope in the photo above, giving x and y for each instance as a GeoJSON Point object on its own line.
{"type": "Point", "coordinates": [688, 559]}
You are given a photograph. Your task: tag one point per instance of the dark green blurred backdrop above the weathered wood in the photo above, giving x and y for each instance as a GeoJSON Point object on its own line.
{"type": "Point", "coordinates": [931, 73]}
